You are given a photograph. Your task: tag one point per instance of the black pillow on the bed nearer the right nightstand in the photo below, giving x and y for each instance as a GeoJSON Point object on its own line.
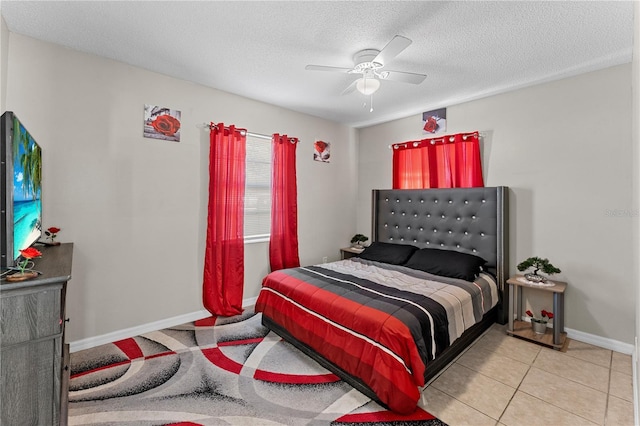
{"type": "Point", "coordinates": [448, 263]}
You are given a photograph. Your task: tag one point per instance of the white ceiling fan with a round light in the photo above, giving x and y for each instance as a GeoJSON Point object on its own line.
{"type": "Point", "coordinates": [369, 63]}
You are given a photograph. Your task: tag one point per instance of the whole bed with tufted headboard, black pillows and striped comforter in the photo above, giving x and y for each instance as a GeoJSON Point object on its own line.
{"type": "Point", "coordinates": [388, 320]}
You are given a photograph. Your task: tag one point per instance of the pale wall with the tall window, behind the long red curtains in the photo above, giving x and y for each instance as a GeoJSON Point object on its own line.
{"type": "Point", "coordinates": [134, 207]}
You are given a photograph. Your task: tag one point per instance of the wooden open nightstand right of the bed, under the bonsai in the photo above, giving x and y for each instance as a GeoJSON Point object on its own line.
{"type": "Point", "coordinates": [554, 338]}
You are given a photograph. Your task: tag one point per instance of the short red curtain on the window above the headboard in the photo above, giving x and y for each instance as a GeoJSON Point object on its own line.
{"type": "Point", "coordinates": [447, 162]}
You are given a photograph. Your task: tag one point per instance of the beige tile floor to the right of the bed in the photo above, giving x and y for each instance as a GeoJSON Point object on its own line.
{"type": "Point", "coordinates": [503, 380]}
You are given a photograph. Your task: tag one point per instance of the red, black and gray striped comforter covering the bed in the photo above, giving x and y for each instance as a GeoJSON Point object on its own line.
{"type": "Point", "coordinates": [378, 322]}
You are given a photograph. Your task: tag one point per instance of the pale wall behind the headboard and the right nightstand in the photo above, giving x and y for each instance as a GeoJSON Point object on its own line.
{"type": "Point", "coordinates": [564, 148]}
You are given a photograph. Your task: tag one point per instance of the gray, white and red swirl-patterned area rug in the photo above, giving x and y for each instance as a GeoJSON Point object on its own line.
{"type": "Point", "coordinates": [216, 371]}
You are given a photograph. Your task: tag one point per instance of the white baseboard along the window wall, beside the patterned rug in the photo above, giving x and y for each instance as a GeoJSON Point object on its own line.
{"type": "Point", "coordinates": [127, 333]}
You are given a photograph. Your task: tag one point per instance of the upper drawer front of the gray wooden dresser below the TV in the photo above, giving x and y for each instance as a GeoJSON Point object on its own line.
{"type": "Point", "coordinates": [30, 314]}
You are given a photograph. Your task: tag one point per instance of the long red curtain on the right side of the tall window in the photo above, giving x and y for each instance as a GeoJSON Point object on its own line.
{"type": "Point", "coordinates": [283, 244]}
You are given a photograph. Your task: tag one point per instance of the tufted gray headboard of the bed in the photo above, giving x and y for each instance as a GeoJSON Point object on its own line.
{"type": "Point", "coordinates": [470, 220]}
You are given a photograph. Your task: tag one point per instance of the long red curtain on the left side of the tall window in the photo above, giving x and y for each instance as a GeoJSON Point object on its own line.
{"type": "Point", "coordinates": [223, 279]}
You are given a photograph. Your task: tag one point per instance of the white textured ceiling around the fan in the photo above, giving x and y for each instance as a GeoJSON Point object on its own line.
{"type": "Point", "coordinates": [259, 49]}
